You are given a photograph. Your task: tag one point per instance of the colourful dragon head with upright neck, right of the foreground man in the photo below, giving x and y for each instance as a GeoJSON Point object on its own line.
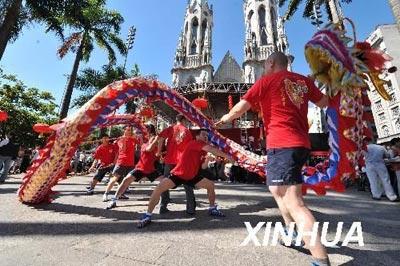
{"type": "Point", "coordinates": [345, 71]}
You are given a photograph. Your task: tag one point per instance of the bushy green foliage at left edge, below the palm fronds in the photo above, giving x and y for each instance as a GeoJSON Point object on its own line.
{"type": "Point", "coordinates": [25, 107]}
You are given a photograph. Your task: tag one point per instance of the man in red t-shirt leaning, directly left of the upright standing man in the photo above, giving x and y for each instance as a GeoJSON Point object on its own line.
{"type": "Point", "coordinates": [144, 168]}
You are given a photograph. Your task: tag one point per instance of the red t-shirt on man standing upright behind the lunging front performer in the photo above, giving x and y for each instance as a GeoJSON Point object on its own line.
{"type": "Point", "coordinates": [178, 137]}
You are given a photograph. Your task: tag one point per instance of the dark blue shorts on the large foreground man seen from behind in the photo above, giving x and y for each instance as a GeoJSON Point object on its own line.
{"type": "Point", "coordinates": [284, 166]}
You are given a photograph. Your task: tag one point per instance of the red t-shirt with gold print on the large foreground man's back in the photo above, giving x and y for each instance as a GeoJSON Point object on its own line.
{"type": "Point", "coordinates": [283, 98]}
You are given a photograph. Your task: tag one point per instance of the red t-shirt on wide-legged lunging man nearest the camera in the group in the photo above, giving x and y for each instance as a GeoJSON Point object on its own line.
{"type": "Point", "coordinates": [190, 163]}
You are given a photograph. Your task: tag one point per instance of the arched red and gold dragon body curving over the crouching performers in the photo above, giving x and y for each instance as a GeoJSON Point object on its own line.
{"type": "Point", "coordinates": [54, 158]}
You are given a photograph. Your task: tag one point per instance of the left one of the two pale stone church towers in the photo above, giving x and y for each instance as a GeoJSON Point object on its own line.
{"type": "Point", "coordinates": [192, 62]}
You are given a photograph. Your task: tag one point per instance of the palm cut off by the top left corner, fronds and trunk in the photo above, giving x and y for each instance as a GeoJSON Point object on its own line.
{"type": "Point", "coordinates": [15, 14]}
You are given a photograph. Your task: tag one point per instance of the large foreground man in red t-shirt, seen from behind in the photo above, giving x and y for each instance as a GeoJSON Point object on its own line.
{"type": "Point", "coordinates": [283, 98]}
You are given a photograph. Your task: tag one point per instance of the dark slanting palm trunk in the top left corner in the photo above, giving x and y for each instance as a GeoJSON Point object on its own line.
{"type": "Point", "coordinates": [7, 25]}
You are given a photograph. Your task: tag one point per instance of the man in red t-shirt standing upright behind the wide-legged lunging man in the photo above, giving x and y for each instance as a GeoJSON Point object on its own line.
{"type": "Point", "coordinates": [177, 137]}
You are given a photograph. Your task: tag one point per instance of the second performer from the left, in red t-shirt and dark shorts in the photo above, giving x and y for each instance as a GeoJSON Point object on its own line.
{"type": "Point", "coordinates": [125, 159]}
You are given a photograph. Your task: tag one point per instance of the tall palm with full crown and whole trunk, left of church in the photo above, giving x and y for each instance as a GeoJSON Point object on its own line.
{"type": "Point", "coordinates": [94, 24]}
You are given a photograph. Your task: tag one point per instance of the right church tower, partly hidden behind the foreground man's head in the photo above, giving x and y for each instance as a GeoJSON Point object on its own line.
{"type": "Point", "coordinates": [265, 34]}
